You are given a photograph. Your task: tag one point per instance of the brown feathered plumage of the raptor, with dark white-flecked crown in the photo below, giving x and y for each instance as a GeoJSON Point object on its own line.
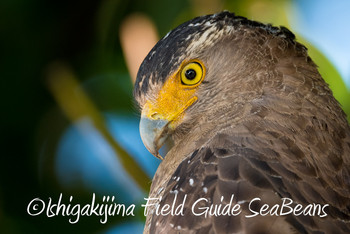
{"type": "Point", "coordinates": [264, 125]}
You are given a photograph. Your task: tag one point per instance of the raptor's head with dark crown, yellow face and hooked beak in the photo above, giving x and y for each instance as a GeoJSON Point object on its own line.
{"type": "Point", "coordinates": [195, 68]}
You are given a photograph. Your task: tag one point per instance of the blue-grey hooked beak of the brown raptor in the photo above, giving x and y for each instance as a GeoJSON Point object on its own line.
{"type": "Point", "coordinates": [154, 133]}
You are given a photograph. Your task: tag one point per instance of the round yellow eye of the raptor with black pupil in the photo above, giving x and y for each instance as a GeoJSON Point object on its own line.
{"type": "Point", "coordinates": [192, 73]}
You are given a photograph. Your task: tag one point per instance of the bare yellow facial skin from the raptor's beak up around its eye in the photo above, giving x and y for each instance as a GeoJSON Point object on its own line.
{"type": "Point", "coordinates": [177, 94]}
